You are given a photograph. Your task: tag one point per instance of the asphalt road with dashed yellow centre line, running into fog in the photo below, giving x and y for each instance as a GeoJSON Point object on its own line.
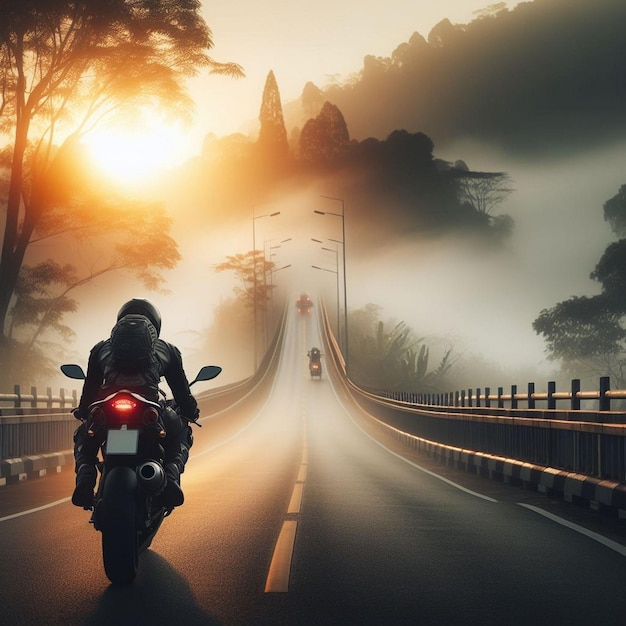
{"type": "Point", "coordinates": [295, 515]}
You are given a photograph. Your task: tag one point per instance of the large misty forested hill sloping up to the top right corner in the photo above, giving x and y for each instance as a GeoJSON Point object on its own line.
{"type": "Point", "coordinates": [545, 77]}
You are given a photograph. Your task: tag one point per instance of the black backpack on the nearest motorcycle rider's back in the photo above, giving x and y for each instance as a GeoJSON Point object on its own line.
{"type": "Point", "coordinates": [132, 343]}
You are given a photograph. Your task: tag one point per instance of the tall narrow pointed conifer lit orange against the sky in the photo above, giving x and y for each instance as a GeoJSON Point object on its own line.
{"type": "Point", "coordinates": [273, 134]}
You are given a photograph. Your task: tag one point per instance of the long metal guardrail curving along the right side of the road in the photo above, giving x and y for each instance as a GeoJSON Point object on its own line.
{"type": "Point", "coordinates": [477, 428]}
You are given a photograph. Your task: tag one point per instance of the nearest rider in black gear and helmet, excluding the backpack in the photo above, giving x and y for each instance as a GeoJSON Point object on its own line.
{"type": "Point", "coordinates": [100, 380]}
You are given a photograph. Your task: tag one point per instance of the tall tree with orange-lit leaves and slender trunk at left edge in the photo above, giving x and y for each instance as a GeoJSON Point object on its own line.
{"type": "Point", "coordinates": [64, 68]}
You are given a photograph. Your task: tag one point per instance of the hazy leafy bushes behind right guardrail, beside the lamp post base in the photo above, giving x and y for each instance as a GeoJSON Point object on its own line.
{"type": "Point", "coordinates": [391, 358]}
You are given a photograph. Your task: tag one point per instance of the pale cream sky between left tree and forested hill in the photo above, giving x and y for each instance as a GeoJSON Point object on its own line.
{"type": "Point", "coordinates": [302, 42]}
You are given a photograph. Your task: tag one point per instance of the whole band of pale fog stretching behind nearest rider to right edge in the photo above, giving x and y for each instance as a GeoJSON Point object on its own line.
{"type": "Point", "coordinates": [455, 291]}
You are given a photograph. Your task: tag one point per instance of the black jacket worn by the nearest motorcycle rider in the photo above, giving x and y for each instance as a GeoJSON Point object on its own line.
{"type": "Point", "coordinates": [102, 379]}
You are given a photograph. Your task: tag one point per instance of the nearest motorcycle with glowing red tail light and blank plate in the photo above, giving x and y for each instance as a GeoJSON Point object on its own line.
{"type": "Point", "coordinates": [126, 506]}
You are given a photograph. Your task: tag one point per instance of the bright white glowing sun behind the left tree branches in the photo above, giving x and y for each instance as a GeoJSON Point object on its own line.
{"type": "Point", "coordinates": [134, 155]}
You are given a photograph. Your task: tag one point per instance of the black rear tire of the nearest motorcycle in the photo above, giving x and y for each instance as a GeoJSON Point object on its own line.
{"type": "Point", "coordinates": [119, 531]}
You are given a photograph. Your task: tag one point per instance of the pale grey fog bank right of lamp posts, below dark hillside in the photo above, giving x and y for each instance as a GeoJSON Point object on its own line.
{"type": "Point", "coordinates": [483, 301]}
